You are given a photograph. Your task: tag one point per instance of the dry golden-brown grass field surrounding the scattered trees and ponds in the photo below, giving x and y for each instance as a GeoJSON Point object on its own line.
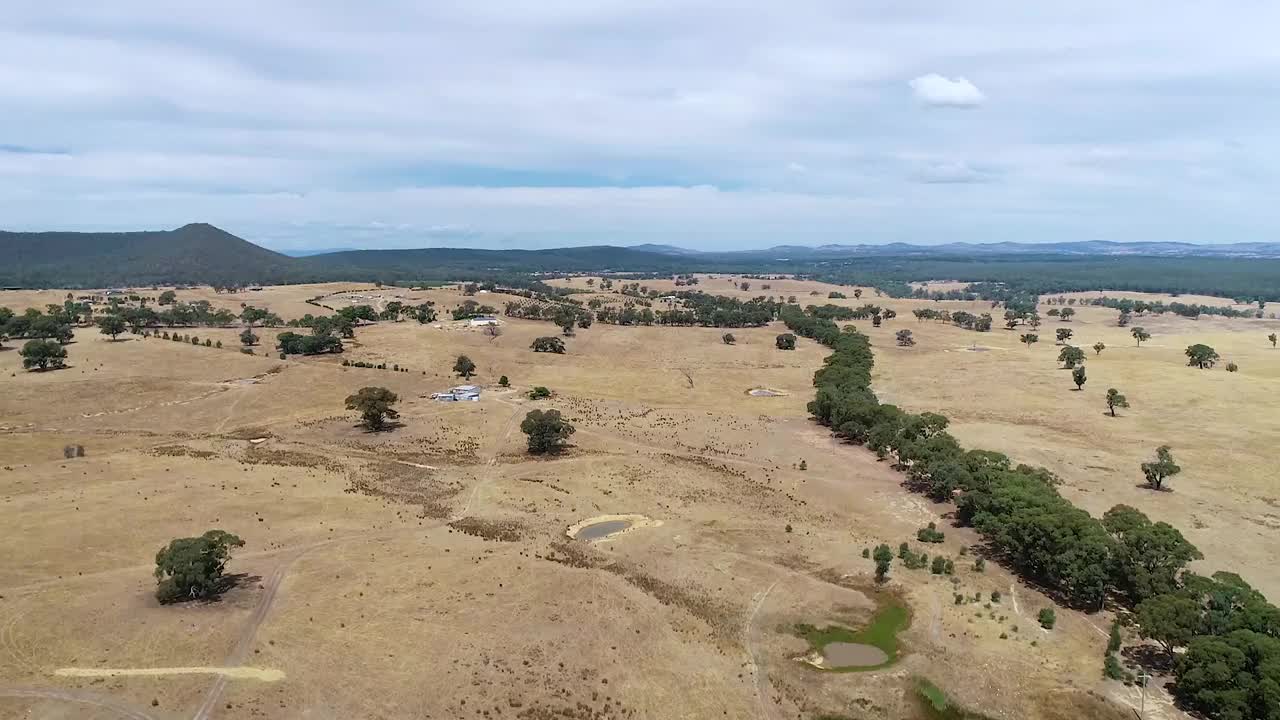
{"type": "Point", "coordinates": [427, 573]}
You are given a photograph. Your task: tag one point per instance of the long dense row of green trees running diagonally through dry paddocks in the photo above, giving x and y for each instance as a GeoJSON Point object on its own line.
{"type": "Point", "coordinates": [1231, 669]}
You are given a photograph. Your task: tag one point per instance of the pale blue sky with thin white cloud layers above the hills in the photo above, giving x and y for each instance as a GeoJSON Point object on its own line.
{"type": "Point", "coordinates": [702, 124]}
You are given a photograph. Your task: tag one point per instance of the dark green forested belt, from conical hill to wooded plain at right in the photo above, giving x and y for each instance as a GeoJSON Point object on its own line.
{"type": "Point", "coordinates": [202, 254]}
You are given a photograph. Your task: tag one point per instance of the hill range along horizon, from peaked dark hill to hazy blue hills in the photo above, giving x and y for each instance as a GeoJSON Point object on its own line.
{"type": "Point", "coordinates": [204, 254]}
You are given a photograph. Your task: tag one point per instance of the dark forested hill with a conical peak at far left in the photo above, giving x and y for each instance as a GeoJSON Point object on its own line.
{"type": "Point", "coordinates": [193, 254]}
